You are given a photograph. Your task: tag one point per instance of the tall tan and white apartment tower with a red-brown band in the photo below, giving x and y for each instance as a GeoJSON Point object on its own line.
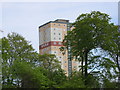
{"type": "Point", "coordinates": [51, 35]}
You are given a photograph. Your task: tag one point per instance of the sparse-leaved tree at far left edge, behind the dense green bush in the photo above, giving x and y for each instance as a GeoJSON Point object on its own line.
{"type": "Point", "coordinates": [14, 47]}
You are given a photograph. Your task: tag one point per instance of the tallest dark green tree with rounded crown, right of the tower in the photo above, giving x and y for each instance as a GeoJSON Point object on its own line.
{"type": "Point", "coordinates": [91, 30]}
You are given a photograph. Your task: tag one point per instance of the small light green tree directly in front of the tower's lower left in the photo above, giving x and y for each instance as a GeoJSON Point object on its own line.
{"type": "Point", "coordinates": [50, 63]}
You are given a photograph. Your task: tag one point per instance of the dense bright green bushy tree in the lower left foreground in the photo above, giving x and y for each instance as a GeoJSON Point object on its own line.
{"type": "Point", "coordinates": [31, 77]}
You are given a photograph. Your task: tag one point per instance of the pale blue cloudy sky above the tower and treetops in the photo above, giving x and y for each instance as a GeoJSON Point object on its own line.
{"type": "Point", "coordinates": [25, 17]}
